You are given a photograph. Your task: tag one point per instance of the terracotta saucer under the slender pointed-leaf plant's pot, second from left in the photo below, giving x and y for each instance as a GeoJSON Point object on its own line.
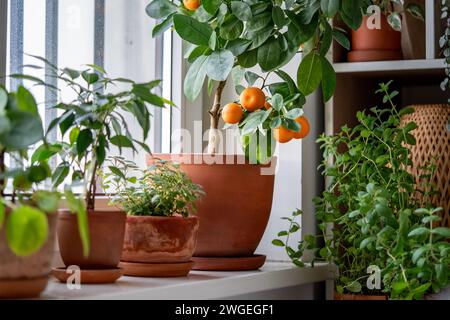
{"type": "Point", "coordinates": [90, 276]}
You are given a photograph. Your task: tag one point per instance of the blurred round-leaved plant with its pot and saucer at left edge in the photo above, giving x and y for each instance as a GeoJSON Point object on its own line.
{"type": "Point", "coordinates": [28, 212]}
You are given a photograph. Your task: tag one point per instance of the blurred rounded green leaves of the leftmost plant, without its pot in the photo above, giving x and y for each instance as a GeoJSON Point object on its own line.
{"type": "Point", "coordinates": [23, 213]}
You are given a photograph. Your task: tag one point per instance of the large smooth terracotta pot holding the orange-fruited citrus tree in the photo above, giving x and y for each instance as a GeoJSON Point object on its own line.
{"type": "Point", "coordinates": [235, 210]}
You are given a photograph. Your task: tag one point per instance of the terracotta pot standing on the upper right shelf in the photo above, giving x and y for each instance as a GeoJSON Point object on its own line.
{"type": "Point", "coordinates": [375, 44]}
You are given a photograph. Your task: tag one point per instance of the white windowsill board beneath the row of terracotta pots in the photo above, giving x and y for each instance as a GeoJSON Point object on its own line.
{"type": "Point", "coordinates": [199, 285]}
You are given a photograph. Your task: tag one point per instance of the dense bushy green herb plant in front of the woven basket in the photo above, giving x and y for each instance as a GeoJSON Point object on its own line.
{"type": "Point", "coordinates": [377, 221]}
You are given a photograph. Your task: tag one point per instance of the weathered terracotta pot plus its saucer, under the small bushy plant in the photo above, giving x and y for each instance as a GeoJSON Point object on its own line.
{"type": "Point", "coordinates": [159, 246]}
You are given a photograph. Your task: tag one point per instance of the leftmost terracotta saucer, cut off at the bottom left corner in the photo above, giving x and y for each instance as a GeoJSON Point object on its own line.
{"type": "Point", "coordinates": [22, 288]}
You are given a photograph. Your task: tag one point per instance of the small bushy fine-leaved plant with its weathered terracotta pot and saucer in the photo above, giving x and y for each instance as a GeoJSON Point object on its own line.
{"type": "Point", "coordinates": [161, 232]}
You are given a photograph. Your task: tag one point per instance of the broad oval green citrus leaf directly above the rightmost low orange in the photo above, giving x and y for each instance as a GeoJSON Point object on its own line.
{"type": "Point", "coordinates": [309, 73]}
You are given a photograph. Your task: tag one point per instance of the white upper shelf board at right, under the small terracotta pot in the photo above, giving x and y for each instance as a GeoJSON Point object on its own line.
{"type": "Point", "coordinates": [385, 66]}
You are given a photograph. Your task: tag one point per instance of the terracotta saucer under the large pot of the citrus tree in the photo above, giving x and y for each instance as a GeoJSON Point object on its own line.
{"type": "Point", "coordinates": [229, 263]}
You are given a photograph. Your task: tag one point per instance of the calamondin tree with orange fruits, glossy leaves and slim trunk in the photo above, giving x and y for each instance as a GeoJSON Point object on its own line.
{"type": "Point", "coordinates": [229, 37]}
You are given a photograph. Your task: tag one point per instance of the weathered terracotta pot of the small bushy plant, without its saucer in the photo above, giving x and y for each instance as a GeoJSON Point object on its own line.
{"type": "Point", "coordinates": [160, 239]}
